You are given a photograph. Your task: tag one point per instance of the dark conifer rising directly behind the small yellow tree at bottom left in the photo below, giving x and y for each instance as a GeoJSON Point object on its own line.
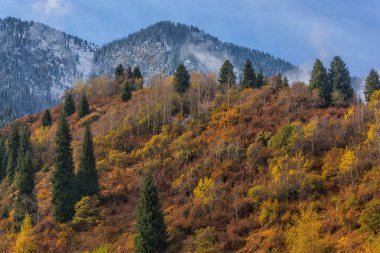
{"type": "Point", "coordinates": [26, 202]}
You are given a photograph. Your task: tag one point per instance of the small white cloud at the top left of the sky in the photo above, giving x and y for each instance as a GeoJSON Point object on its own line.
{"type": "Point", "coordinates": [52, 7]}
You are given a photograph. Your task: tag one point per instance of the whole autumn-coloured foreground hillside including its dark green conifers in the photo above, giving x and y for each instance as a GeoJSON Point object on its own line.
{"type": "Point", "coordinates": [197, 162]}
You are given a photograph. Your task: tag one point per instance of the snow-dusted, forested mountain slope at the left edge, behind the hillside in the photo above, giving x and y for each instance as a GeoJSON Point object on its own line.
{"type": "Point", "coordinates": [37, 63]}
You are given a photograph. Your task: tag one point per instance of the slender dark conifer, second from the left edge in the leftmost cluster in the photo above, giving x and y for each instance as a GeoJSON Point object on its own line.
{"type": "Point", "coordinates": [12, 151]}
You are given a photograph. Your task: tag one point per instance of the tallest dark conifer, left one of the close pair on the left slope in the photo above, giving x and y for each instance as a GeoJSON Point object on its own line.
{"type": "Point", "coordinates": [63, 193]}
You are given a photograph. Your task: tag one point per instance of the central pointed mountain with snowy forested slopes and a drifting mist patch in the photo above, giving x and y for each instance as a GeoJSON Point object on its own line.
{"type": "Point", "coordinates": [160, 48]}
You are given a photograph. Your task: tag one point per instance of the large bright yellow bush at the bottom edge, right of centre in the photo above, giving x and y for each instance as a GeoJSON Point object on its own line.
{"type": "Point", "coordinates": [304, 236]}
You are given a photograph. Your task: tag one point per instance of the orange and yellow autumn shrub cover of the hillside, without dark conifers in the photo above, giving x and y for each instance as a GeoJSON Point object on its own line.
{"type": "Point", "coordinates": [272, 172]}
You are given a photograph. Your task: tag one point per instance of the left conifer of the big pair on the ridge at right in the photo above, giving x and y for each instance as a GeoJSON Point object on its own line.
{"type": "Point", "coordinates": [319, 80]}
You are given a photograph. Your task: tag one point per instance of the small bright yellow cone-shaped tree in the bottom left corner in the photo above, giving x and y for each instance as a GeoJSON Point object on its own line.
{"type": "Point", "coordinates": [24, 241]}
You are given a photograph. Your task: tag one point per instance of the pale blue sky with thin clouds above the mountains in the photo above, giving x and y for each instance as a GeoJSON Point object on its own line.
{"type": "Point", "coordinates": [297, 30]}
